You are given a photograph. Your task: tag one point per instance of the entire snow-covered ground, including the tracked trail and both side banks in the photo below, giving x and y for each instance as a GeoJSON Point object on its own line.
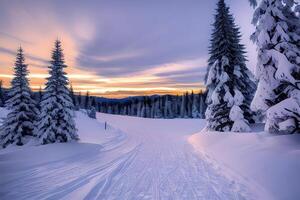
{"type": "Point", "coordinates": [137, 158]}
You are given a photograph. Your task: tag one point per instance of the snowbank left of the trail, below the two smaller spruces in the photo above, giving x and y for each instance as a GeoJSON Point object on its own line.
{"type": "Point", "coordinates": [92, 134]}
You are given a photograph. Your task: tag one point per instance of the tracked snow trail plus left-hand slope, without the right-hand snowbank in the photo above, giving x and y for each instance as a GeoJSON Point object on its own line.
{"type": "Point", "coordinates": [148, 159]}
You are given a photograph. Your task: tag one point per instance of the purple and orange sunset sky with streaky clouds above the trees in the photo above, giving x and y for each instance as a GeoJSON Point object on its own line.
{"type": "Point", "coordinates": [117, 48]}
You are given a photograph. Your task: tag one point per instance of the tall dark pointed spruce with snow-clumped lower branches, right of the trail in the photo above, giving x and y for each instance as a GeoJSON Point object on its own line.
{"type": "Point", "coordinates": [228, 81]}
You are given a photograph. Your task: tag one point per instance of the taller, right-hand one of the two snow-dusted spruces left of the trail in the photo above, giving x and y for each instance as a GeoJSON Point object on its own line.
{"type": "Point", "coordinates": [56, 121]}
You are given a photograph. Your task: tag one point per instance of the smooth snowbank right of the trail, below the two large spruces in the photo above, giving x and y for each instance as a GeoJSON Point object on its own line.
{"type": "Point", "coordinates": [270, 162]}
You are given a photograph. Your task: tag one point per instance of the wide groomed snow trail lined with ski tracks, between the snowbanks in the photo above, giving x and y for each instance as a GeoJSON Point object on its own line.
{"type": "Point", "coordinates": [147, 162]}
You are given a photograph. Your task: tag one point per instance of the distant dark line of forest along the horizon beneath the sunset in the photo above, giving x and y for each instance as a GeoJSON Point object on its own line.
{"type": "Point", "coordinates": [188, 105]}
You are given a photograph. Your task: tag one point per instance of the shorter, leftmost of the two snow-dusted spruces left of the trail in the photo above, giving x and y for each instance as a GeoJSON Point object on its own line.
{"type": "Point", "coordinates": [19, 123]}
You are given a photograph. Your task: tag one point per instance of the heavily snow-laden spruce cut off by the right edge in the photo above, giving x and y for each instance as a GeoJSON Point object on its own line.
{"type": "Point", "coordinates": [277, 37]}
